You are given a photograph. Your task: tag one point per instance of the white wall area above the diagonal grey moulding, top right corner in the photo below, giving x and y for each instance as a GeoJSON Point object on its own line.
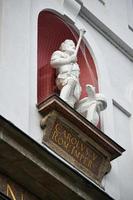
{"type": "Point", "coordinates": [115, 15]}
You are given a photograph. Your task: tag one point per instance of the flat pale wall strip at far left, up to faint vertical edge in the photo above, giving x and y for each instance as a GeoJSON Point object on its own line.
{"type": "Point", "coordinates": [14, 70]}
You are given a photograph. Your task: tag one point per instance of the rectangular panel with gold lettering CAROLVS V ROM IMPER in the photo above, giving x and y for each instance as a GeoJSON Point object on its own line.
{"type": "Point", "coordinates": [70, 142]}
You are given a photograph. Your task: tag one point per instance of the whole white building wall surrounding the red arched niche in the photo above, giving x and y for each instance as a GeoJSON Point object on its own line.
{"type": "Point", "coordinates": [18, 74]}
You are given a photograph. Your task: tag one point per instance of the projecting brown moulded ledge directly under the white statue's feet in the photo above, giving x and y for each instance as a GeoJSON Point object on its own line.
{"type": "Point", "coordinates": [56, 103]}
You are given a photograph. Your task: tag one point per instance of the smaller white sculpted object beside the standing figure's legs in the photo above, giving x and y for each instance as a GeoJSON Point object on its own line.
{"type": "Point", "coordinates": [91, 106]}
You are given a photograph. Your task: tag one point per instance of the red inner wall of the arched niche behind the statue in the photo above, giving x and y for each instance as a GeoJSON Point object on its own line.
{"type": "Point", "coordinates": [52, 31]}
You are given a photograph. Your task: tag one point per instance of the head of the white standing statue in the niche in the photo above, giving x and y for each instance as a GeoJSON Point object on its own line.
{"type": "Point", "coordinates": [68, 45]}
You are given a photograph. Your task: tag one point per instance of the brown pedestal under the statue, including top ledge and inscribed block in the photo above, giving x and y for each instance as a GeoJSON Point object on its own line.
{"type": "Point", "coordinates": [76, 140]}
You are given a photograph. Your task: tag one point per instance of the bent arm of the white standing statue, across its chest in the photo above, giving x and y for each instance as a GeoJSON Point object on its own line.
{"type": "Point", "coordinates": [57, 59]}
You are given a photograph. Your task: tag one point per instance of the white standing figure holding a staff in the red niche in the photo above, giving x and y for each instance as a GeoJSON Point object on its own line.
{"type": "Point", "coordinates": [67, 69]}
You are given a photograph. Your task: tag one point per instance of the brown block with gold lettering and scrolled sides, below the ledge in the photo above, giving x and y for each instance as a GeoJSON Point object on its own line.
{"type": "Point", "coordinates": [73, 145]}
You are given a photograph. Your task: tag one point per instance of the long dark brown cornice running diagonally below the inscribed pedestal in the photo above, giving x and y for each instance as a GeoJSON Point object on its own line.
{"type": "Point", "coordinates": [39, 171]}
